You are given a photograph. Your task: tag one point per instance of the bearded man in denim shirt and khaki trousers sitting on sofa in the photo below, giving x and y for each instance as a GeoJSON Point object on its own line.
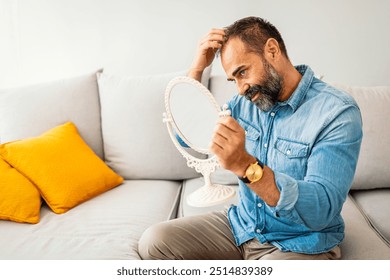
{"type": "Point", "coordinates": [292, 140]}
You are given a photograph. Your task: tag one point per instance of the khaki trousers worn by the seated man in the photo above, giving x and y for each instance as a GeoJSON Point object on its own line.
{"type": "Point", "coordinates": [209, 237]}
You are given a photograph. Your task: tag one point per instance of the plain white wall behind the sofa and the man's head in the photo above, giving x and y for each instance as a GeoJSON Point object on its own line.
{"type": "Point", "coordinates": [346, 41]}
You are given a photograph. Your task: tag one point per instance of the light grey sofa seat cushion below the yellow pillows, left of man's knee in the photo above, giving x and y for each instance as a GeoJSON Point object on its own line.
{"type": "Point", "coordinates": [107, 227]}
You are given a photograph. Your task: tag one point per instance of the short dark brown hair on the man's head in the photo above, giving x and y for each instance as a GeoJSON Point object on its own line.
{"type": "Point", "coordinates": [255, 32]}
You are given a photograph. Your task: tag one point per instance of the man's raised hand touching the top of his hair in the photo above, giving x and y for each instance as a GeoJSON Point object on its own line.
{"type": "Point", "coordinates": [207, 49]}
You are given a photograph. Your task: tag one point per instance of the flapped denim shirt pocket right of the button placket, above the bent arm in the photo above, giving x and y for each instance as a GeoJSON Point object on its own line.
{"type": "Point", "coordinates": [291, 157]}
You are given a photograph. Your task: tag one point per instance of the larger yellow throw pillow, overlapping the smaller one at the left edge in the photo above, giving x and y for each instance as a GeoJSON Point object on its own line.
{"type": "Point", "coordinates": [62, 166]}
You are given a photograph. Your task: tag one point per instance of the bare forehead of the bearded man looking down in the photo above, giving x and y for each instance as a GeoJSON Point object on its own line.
{"type": "Point", "coordinates": [235, 54]}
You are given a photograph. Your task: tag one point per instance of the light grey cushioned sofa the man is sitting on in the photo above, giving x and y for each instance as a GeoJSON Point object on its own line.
{"type": "Point", "coordinates": [120, 119]}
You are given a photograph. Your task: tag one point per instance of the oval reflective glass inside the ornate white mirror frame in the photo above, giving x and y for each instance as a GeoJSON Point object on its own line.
{"type": "Point", "coordinates": [194, 113]}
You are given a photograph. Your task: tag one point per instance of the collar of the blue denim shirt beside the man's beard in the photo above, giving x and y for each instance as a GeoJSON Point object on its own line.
{"type": "Point", "coordinates": [300, 92]}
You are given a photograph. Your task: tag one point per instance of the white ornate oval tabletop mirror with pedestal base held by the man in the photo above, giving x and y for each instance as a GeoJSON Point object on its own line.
{"type": "Point", "coordinates": [191, 115]}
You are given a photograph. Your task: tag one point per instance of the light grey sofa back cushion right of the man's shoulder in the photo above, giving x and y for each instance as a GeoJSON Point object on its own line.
{"type": "Point", "coordinates": [372, 170]}
